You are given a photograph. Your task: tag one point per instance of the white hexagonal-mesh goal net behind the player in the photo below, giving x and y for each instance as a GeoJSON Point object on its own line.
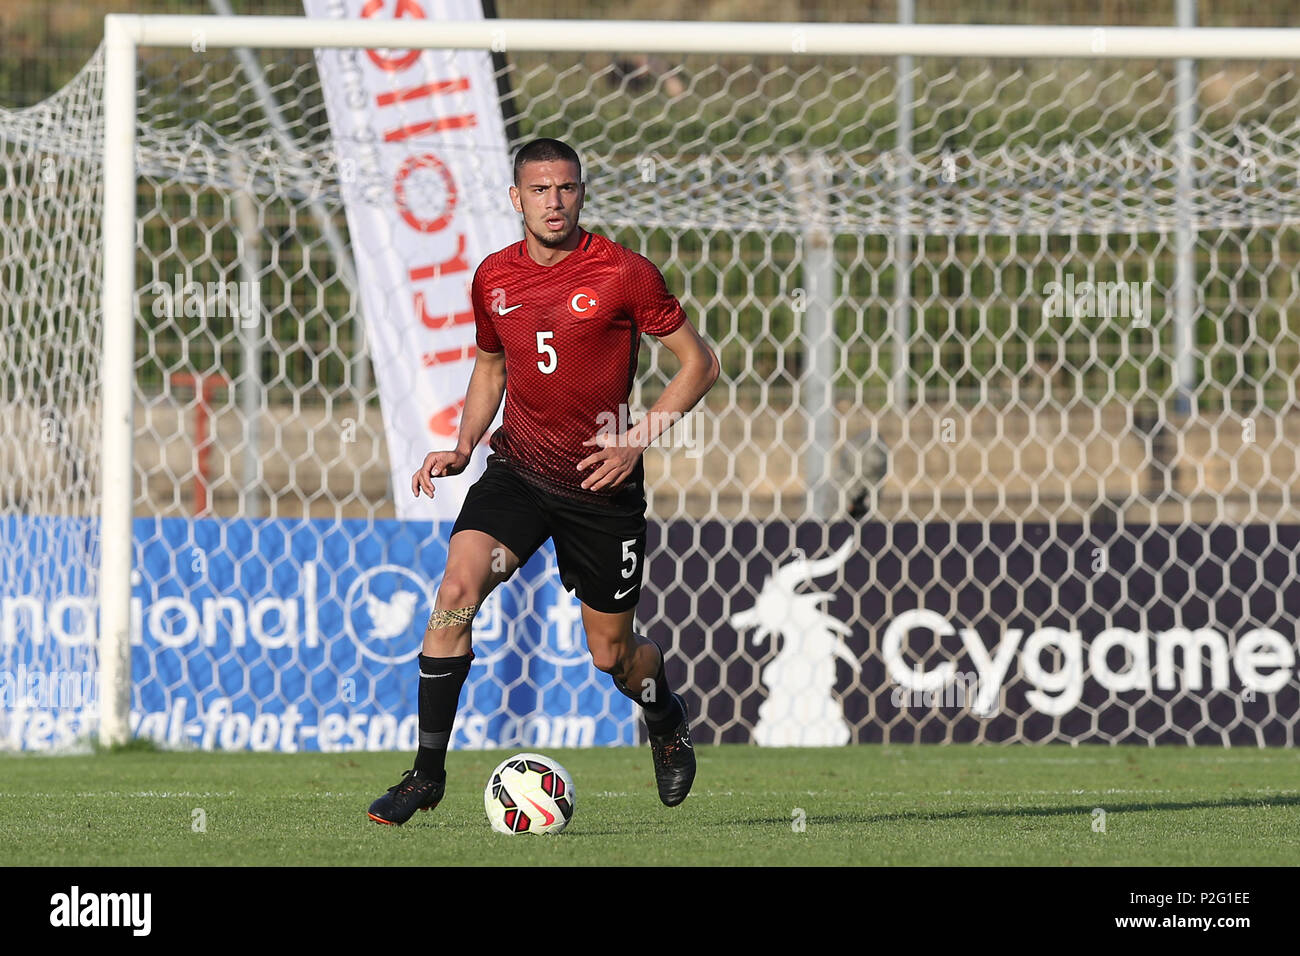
{"type": "Point", "coordinates": [1004, 445]}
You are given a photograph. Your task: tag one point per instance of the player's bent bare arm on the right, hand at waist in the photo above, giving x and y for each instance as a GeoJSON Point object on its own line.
{"type": "Point", "coordinates": [697, 374]}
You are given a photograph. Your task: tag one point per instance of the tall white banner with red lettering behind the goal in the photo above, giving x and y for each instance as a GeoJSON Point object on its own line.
{"type": "Point", "coordinates": [424, 167]}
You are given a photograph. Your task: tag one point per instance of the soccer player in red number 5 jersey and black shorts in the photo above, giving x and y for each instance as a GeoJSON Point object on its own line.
{"type": "Point", "coordinates": [560, 321]}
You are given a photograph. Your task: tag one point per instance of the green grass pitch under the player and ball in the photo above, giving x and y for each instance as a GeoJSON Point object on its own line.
{"type": "Point", "coordinates": [857, 806]}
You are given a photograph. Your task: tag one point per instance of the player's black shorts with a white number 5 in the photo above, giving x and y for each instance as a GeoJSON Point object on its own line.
{"type": "Point", "coordinates": [600, 548]}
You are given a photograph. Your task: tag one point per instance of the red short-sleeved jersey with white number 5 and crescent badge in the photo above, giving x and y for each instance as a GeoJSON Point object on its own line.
{"type": "Point", "coordinates": [571, 334]}
